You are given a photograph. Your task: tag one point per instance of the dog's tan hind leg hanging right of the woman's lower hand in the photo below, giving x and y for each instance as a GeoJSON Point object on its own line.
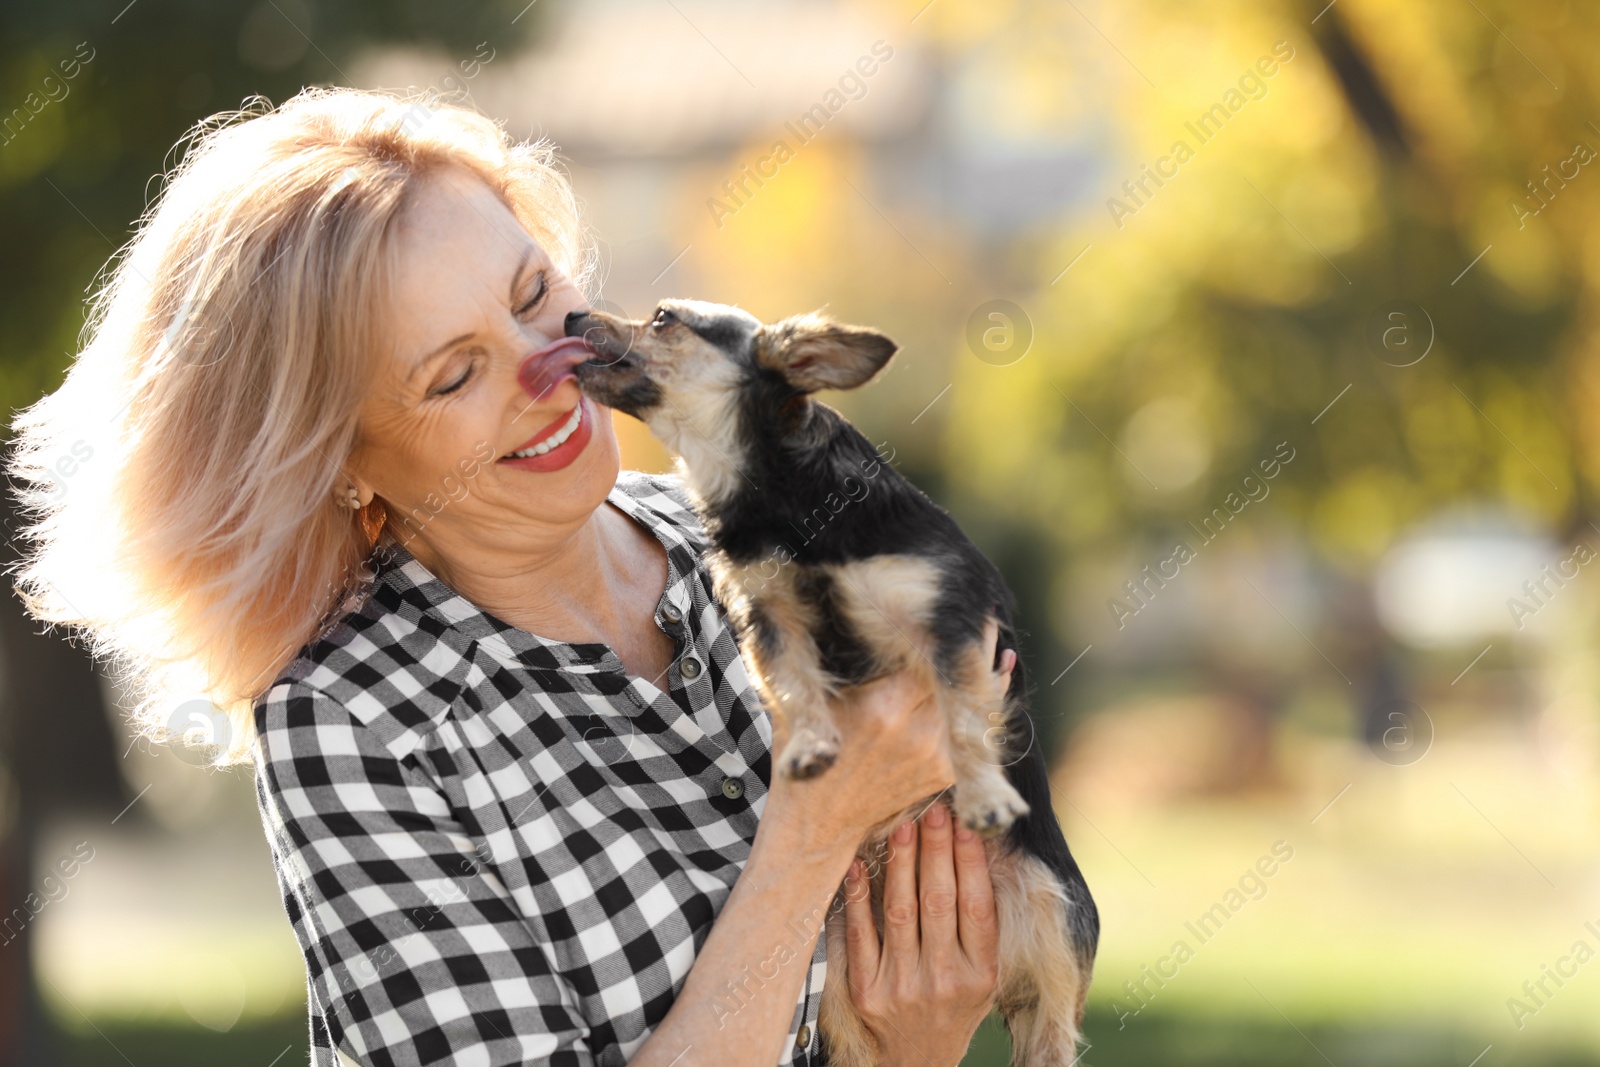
{"type": "Point", "coordinates": [1042, 977]}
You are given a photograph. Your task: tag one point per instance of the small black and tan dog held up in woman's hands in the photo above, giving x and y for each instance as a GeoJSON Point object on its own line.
{"type": "Point", "coordinates": [836, 570]}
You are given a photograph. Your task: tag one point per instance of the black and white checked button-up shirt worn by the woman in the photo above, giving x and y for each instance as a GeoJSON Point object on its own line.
{"type": "Point", "coordinates": [497, 849]}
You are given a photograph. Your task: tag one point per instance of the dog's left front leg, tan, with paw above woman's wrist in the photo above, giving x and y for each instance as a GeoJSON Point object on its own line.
{"type": "Point", "coordinates": [777, 625]}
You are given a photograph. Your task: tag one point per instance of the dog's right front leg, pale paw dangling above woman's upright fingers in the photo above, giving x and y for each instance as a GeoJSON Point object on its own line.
{"type": "Point", "coordinates": [985, 801]}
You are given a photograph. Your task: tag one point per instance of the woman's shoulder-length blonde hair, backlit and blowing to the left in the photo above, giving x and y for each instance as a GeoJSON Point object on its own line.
{"type": "Point", "coordinates": [178, 487]}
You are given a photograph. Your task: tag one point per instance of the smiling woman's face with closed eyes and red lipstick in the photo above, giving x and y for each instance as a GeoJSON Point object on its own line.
{"type": "Point", "coordinates": [474, 297]}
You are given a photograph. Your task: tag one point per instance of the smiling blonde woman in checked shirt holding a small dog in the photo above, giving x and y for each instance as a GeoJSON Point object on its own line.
{"type": "Point", "coordinates": [514, 777]}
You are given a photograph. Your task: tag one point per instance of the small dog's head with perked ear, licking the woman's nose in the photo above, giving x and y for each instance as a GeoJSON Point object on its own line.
{"type": "Point", "coordinates": [714, 383]}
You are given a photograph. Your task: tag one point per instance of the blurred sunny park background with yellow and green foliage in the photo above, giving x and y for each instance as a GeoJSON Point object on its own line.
{"type": "Point", "coordinates": [1255, 340]}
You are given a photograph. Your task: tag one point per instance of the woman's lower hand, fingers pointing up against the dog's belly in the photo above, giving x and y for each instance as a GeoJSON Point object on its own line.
{"type": "Point", "coordinates": [932, 980]}
